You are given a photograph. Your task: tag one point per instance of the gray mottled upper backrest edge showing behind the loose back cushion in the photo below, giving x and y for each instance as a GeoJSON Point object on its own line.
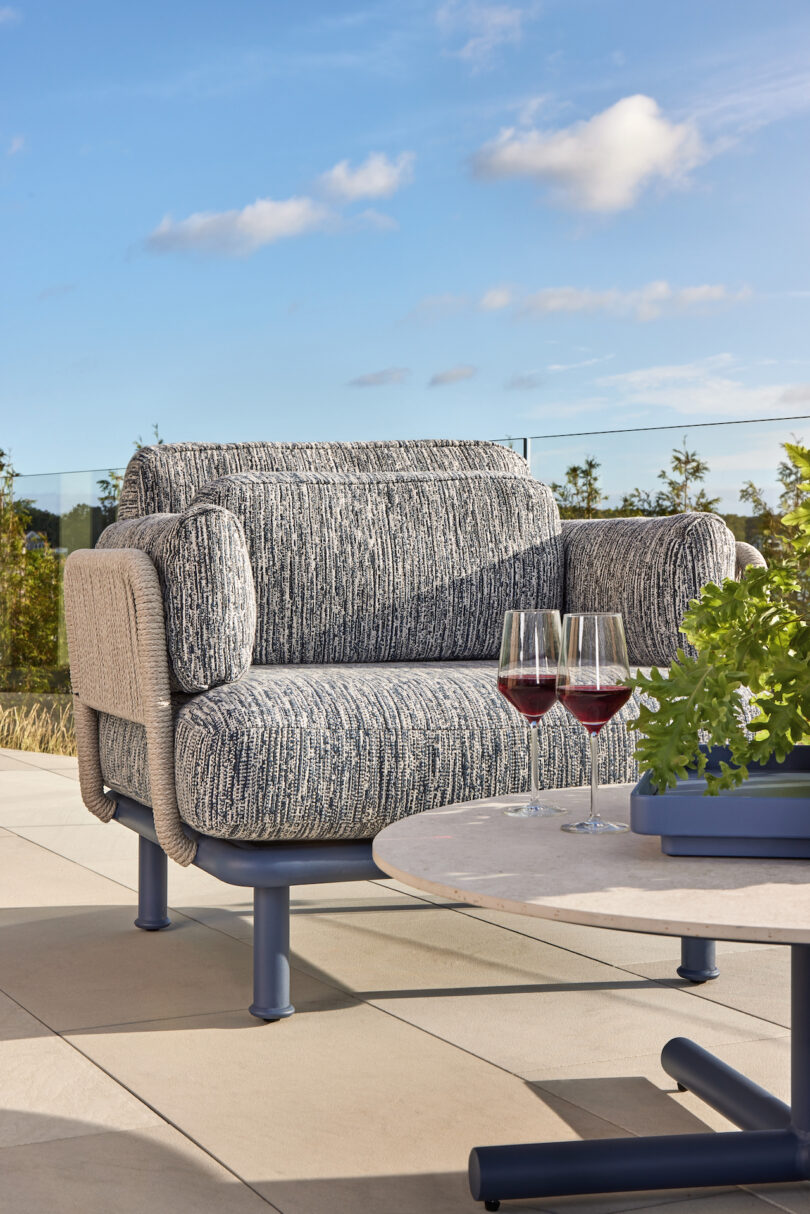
{"type": "Point", "coordinates": [165, 479]}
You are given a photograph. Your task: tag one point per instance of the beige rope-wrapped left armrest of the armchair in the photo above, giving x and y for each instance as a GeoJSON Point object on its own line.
{"type": "Point", "coordinates": [117, 645]}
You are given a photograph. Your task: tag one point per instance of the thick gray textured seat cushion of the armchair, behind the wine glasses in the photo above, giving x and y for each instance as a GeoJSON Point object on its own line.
{"type": "Point", "coordinates": [338, 752]}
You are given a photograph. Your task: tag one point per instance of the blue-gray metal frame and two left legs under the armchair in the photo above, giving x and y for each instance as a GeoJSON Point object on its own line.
{"type": "Point", "coordinates": [270, 870]}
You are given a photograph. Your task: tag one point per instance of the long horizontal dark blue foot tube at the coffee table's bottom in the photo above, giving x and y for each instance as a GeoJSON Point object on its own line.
{"type": "Point", "coordinates": [614, 1166]}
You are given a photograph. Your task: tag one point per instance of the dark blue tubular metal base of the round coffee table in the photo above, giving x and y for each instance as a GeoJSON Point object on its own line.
{"type": "Point", "coordinates": [773, 1145]}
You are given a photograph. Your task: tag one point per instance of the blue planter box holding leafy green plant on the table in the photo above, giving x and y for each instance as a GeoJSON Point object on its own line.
{"type": "Point", "coordinates": [769, 816]}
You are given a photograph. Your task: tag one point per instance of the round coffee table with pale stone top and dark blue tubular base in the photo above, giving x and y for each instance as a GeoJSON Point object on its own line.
{"type": "Point", "coordinates": [475, 854]}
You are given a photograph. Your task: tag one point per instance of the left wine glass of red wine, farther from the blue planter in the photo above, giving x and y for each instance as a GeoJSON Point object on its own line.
{"type": "Point", "coordinates": [530, 653]}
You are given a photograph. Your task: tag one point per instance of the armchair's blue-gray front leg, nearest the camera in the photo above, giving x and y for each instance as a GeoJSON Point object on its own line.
{"type": "Point", "coordinates": [271, 954]}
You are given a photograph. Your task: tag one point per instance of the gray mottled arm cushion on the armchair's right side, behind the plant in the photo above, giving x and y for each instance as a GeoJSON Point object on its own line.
{"type": "Point", "coordinates": [649, 570]}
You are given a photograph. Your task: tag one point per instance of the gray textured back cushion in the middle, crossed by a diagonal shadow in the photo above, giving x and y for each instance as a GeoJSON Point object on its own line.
{"type": "Point", "coordinates": [393, 568]}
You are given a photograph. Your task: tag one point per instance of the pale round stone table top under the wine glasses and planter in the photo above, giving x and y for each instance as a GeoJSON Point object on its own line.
{"type": "Point", "coordinates": [475, 854]}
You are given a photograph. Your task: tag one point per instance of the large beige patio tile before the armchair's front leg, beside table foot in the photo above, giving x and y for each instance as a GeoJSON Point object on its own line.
{"type": "Point", "coordinates": [361, 1105]}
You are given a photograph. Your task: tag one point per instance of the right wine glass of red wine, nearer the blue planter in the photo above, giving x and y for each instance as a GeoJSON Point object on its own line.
{"type": "Point", "coordinates": [593, 683]}
